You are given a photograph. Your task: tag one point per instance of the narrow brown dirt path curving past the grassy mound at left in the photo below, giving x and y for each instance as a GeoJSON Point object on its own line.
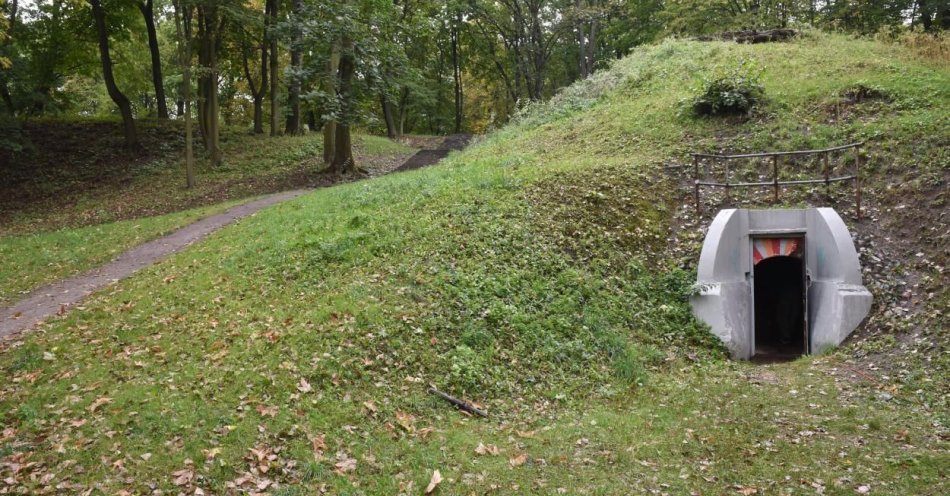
{"type": "Point", "coordinates": [55, 299]}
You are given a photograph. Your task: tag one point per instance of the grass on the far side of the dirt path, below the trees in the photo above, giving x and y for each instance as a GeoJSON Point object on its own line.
{"type": "Point", "coordinates": [30, 256]}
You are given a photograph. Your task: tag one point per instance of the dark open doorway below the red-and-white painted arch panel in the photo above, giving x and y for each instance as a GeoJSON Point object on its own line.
{"type": "Point", "coordinates": [779, 301]}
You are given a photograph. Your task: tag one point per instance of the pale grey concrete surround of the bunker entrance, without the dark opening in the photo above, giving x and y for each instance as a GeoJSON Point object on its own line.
{"type": "Point", "coordinates": [835, 299]}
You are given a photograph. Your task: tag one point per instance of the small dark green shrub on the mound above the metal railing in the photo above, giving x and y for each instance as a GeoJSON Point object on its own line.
{"type": "Point", "coordinates": [732, 91]}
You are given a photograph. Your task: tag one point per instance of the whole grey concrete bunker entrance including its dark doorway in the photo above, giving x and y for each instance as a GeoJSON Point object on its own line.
{"type": "Point", "coordinates": [769, 298]}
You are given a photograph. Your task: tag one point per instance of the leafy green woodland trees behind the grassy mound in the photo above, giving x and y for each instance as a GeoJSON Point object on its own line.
{"type": "Point", "coordinates": [389, 66]}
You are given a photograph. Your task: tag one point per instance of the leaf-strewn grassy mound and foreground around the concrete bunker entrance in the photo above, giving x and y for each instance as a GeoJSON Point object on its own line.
{"type": "Point", "coordinates": [527, 273]}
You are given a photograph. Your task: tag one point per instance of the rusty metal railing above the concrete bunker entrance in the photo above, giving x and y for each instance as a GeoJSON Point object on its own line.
{"type": "Point", "coordinates": [700, 181]}
